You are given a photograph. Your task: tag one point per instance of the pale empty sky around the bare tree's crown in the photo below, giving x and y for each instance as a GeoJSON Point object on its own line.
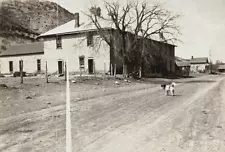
{"type": "Point", "coordinates": [202, 24]}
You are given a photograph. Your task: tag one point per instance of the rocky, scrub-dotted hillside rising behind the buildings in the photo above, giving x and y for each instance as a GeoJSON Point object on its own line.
{"type": "Point", "coordinates": [22, 20]}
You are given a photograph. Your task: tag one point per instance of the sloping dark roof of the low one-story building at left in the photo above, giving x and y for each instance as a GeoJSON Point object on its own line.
{"type": "Point", "coordinates": [24, 49]}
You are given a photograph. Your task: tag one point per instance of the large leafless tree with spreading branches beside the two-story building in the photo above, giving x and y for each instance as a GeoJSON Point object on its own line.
{"type": "Point", "coordinates": [134, 24]}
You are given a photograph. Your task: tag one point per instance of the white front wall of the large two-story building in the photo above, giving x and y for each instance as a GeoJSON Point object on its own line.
{"type": "Point", "coordinates": [73, 47]}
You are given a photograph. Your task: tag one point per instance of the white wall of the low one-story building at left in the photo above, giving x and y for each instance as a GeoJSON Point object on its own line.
{"type": "Point", "coordinates": [29, 63]}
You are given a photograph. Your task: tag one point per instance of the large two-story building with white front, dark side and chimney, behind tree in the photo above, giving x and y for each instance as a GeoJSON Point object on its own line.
{"type": "Point", "coordinates": [85, 51]}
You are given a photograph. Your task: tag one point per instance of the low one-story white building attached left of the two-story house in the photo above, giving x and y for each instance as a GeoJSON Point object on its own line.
{"type": "Point", "coordinates": [31, 55]}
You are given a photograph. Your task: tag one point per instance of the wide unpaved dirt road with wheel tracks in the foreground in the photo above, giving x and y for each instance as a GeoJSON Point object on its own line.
{"type": "Point", "coordinates": [138, 120]}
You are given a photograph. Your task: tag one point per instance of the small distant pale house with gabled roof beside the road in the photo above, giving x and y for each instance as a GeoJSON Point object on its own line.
{"type": "Point", "coordinates": [199, 64]}
